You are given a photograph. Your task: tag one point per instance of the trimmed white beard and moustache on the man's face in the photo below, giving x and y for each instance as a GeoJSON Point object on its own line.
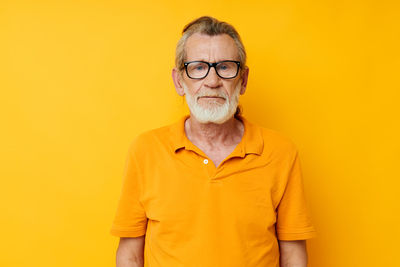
{"type": "Point", "coordinates": [214, 112]}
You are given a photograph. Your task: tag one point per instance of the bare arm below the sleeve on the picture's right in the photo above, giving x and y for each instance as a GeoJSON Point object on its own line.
{"type": "Point", "coordinates": [293, 253]}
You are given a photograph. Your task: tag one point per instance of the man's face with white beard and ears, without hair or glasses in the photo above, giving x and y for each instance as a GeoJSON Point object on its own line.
{"type": "Point", "coordinates": [211, 99]}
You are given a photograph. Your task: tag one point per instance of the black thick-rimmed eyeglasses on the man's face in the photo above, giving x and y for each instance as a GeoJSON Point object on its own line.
{"type": "Point", "coordinates": [226, 69]}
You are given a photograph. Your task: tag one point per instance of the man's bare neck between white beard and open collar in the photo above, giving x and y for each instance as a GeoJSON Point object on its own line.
{"type": "Point", "coordinates": [211, 134]}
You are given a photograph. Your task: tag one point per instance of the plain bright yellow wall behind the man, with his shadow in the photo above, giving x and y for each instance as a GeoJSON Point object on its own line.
{"type": "Point", "coordinates": [80, 79]}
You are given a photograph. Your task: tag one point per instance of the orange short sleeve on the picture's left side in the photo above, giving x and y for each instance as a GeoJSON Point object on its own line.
{"type": "Point", "coordinates": [130, 219]}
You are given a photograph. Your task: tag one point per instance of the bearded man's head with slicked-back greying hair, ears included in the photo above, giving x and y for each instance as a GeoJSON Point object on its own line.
{"type": "Point", "coordinates": [212, 98]}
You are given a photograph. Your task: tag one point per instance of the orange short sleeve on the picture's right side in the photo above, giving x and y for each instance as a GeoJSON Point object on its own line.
{"type": "Point", "coordinates": [293, 218]}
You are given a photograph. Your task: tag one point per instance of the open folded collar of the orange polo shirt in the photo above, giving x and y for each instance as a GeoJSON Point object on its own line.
{"type": "Point", "coordinates": [252, 141]}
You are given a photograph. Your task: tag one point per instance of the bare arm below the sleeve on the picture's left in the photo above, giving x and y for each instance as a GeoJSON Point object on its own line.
{"type": "Point", "coordinates": [130, 252]}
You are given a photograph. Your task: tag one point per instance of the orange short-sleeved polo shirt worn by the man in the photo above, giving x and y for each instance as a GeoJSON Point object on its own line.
{"type": "Point", "coordinates": [197, 215]}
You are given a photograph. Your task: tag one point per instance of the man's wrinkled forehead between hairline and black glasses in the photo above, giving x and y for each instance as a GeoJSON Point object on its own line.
{"type": "Point", "coordinates": [211, 48]}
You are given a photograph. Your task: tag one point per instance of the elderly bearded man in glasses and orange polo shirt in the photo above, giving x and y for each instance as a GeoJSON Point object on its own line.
{"type": "Point", "coordinates": [212, 189]}
